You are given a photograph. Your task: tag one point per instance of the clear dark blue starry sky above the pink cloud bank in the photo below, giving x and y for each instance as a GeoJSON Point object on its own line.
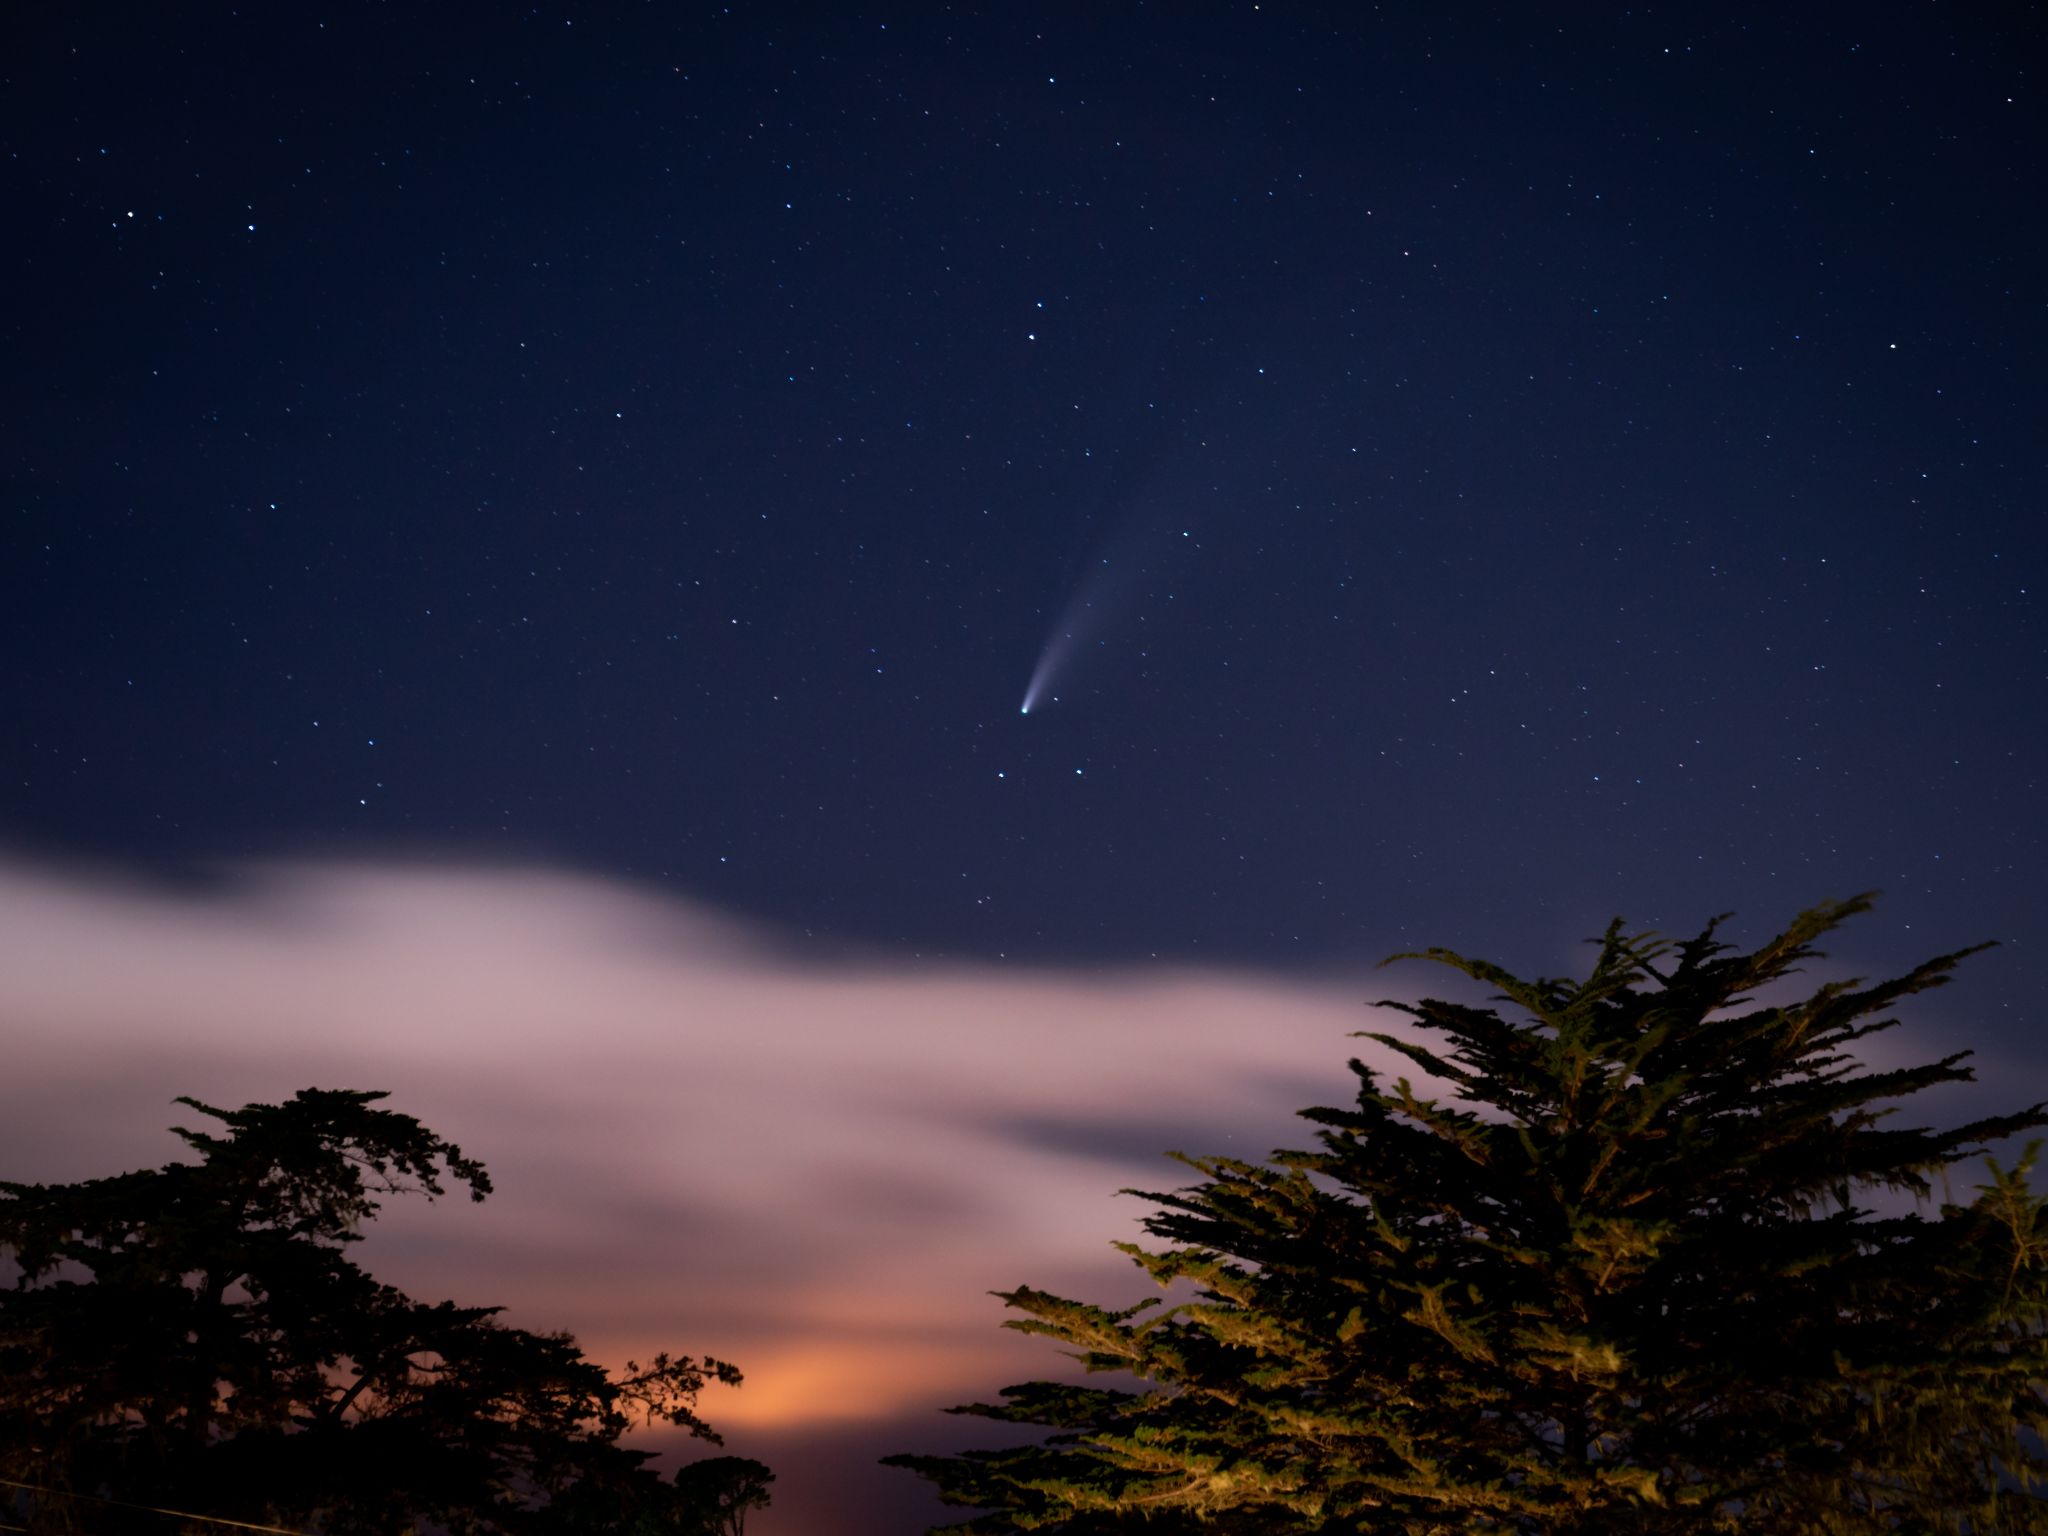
{"type": "Point", "coordinates": [1498, 470]}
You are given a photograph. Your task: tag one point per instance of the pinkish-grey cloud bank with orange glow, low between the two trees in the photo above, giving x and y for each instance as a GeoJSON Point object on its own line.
{"type": "Point", "coordinates": [701, 1140]}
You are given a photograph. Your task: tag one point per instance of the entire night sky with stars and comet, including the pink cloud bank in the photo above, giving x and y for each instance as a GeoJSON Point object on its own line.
{"type": "Point", "coordinates": [531, 534]}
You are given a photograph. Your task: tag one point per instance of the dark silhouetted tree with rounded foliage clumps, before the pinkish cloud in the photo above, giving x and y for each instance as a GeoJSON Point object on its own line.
{"type": "Point", "coordinates": [198, 1338]}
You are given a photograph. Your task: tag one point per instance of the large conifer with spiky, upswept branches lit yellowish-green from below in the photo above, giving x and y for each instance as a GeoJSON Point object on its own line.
{"type": "Point", "coordinates": [1625, 1279]}
